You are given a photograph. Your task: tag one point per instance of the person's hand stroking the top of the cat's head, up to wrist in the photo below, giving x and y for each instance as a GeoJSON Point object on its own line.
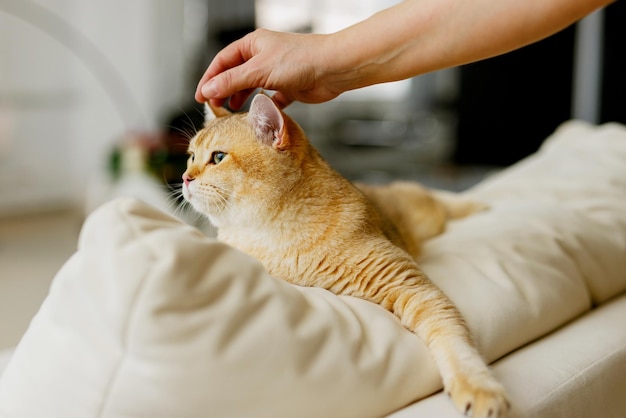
{"type": "Point", "coordinates": [293, 65]}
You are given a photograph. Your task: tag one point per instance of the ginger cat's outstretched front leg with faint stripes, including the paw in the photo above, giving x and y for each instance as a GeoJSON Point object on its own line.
{"type": "Point", "coordinates": [397, 284]}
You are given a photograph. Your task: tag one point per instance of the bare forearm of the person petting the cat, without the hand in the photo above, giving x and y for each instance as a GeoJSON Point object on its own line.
{"type": "Point", "coordinates": [419, 36]}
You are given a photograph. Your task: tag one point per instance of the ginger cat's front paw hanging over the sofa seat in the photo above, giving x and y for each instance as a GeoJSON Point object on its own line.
{"type": "Point", "coordinates": [479, 396]}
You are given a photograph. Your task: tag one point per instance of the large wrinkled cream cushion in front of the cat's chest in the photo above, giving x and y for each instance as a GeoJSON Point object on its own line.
{"type": "Point", "coordinates": [152, 319]}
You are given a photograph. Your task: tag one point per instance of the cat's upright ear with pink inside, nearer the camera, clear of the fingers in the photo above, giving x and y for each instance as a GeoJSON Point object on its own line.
{"type": "Point", "coordinates": [268, 121]}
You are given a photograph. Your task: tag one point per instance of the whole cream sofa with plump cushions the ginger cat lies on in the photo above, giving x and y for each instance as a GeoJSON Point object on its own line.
{"type": "Point", "coordinates": [152, 318]}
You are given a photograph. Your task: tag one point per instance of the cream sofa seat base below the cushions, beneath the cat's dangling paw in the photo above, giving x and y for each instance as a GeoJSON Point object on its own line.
{"type": "Point", "coordinates": [579, 371]}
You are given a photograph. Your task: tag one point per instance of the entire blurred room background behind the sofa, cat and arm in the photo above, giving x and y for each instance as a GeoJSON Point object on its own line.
{"type": "Point", "coordinates": [96, 101]}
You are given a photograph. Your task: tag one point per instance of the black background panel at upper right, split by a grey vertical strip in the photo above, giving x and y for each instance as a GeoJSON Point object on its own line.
{"type": "Point", "coordinates": [509, 104]}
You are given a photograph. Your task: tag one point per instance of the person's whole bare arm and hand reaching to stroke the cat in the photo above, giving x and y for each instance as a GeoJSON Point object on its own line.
{"type": "Point", "coordinates": [414, 37]}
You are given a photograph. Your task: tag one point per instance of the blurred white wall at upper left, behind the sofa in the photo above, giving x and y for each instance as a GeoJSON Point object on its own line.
{"type": "Point", "coordinates": [76, 75]}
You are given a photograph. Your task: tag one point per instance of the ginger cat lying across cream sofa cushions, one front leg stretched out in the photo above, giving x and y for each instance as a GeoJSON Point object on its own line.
{"type": "Point", "coordinates": [271, 195]}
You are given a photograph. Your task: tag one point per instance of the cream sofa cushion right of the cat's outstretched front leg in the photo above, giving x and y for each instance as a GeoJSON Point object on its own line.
{"type": "Point", "coordinates": [552, 244]}
